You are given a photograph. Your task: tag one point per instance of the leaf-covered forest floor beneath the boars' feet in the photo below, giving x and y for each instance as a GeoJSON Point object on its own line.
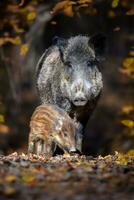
{"type": "Point", "coordinates": [67, 177]}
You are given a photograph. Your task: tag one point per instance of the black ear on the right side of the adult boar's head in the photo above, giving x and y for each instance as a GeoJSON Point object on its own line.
{"type": "Point", "coordinates": [99, 43]}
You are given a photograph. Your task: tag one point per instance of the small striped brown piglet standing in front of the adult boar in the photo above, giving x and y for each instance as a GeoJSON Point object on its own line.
{"type": "Point", "coordinates": [51, 126]}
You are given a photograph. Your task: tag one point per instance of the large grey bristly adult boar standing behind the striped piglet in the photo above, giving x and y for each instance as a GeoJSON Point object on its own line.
{"type": "Point", "coordinates": [68, 75]}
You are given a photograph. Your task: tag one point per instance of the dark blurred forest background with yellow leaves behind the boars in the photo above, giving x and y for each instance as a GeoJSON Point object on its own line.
{"type": "Point", "coordinates": [26, 30]}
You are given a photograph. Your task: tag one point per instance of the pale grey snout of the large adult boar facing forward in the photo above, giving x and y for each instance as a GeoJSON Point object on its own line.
{"type": "Point", "coordinates": [80, 92]}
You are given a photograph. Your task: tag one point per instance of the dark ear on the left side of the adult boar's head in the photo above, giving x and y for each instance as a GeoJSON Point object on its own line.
{"type": "Point", "coordinates": [59, 42]}
